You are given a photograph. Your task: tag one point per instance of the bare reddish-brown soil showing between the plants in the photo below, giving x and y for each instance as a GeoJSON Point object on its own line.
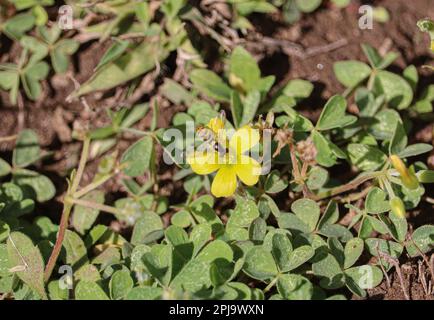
{"type": "Point", "coordinates": [319, 29]}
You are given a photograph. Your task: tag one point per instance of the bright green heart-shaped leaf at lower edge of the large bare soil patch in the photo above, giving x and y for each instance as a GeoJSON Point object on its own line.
{"type": "Point", "coordinates": [333, 115]}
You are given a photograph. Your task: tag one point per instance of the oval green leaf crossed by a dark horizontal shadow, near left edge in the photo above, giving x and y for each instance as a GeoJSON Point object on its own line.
{"type": "Point", "coordinates": [27, 149]}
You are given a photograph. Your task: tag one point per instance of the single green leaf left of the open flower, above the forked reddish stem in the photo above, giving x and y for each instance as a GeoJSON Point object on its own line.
{"type": "Point", "coordinates": [137, 158]}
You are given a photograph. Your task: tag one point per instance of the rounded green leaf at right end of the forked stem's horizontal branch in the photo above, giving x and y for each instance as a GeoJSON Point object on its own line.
{"type": "Point", "coordinates": [147, 229]}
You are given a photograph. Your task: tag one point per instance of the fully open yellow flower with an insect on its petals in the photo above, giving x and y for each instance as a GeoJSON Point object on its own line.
{"type": "Point", "coordinates": [230, 165]}
